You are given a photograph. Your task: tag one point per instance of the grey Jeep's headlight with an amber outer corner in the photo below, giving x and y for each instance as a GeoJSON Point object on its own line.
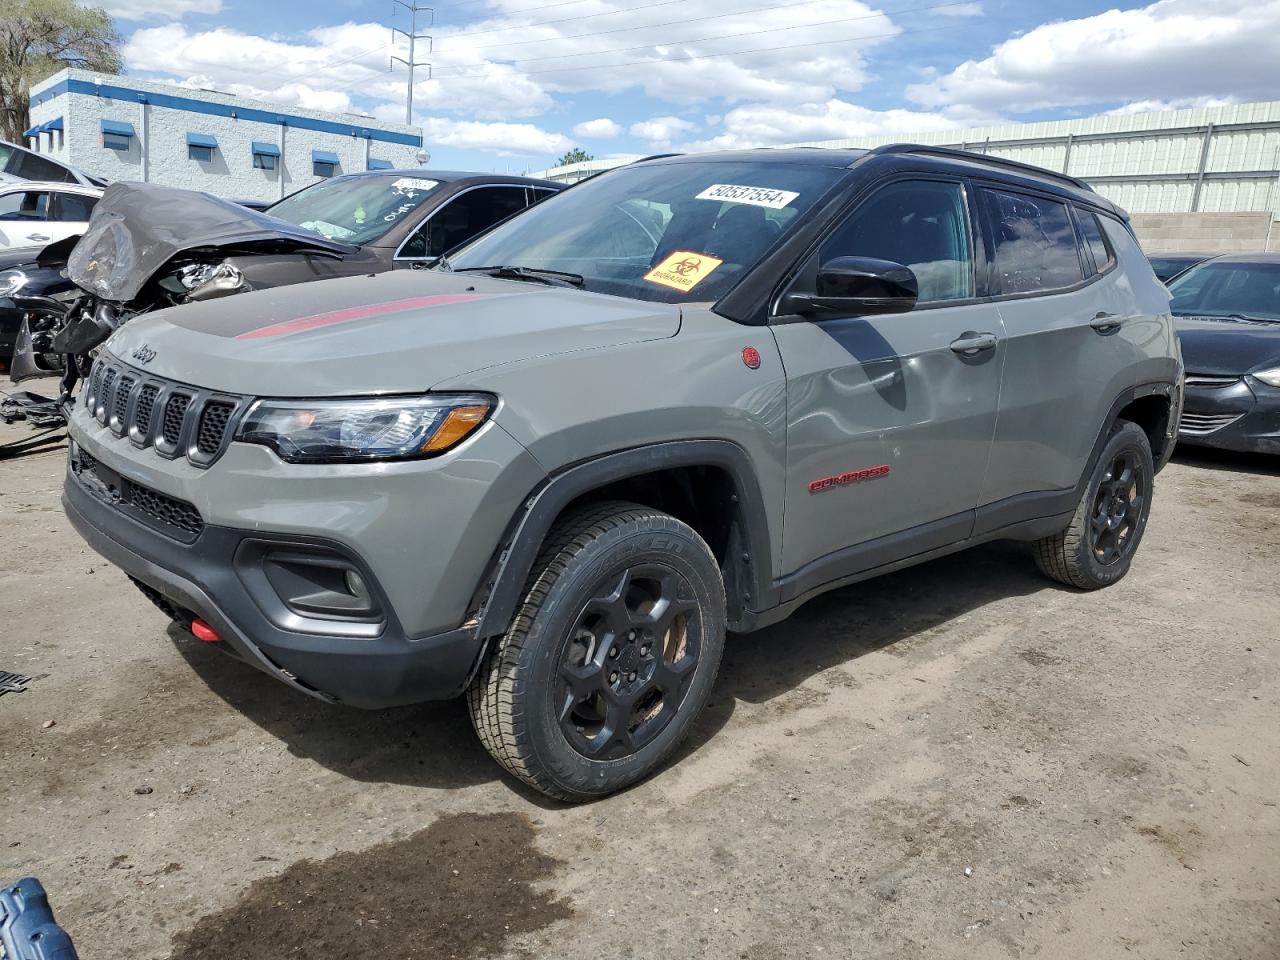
{"type": "Point", "coordinates": [339, 431]}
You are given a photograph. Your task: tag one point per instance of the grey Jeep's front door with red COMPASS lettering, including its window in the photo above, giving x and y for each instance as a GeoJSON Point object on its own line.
{"type": "Point", "coordinates": [890, 419]}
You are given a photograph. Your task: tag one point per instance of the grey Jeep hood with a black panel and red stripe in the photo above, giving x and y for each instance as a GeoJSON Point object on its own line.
{"type": "Point", "coordinates": [400, 332]}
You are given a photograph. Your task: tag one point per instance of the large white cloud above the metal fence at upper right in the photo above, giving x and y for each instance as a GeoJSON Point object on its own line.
{"type": "Point", "coordinates": [1173, 51]}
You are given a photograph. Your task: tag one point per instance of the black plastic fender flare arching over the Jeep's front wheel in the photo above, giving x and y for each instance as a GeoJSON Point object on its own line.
{"type": "Point", "coordinates": [751, 557]}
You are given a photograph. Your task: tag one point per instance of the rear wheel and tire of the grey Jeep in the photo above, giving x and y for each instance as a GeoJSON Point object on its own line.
{"type": "Point", "coordinates": [1099, 546]}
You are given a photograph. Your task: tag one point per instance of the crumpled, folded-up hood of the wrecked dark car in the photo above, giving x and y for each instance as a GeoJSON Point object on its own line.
{"type": "Point", "coordinates": [138, 228]}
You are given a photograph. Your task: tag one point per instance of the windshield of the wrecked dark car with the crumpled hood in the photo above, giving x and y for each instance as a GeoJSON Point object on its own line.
{"type": "Point", "coordinates": [355, 209]}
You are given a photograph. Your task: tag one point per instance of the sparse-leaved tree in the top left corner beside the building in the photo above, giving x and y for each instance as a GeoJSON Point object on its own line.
{"type": "Point", "coordinates": [40, 38]}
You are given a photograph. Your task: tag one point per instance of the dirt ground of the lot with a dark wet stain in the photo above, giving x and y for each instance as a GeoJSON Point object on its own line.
{"type": "Point", "coordinates": [957, 761]}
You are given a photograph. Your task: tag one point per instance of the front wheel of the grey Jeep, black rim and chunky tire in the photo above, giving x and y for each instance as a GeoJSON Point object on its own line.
{"type": "Point", "coordinates": [611, 657]}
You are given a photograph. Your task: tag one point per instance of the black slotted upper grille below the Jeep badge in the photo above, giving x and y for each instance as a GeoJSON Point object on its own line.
{"type": "Point", "coordinates": [173, 419]}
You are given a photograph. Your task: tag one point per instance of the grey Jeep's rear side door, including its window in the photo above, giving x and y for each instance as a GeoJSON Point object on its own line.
{"type": "Point", "coordinates": [1073, 319]}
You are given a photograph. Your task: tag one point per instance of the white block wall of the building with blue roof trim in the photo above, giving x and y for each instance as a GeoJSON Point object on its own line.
{"type": "Point", "coordinates": [162, 117]}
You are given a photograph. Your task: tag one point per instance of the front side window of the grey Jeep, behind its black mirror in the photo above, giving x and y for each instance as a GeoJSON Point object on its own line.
{"type": "Point", "coordinates": [921, 225]}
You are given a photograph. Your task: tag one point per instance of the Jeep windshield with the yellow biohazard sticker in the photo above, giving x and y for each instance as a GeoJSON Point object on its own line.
{"type": "Point", "coordinates": [660, 232]}
